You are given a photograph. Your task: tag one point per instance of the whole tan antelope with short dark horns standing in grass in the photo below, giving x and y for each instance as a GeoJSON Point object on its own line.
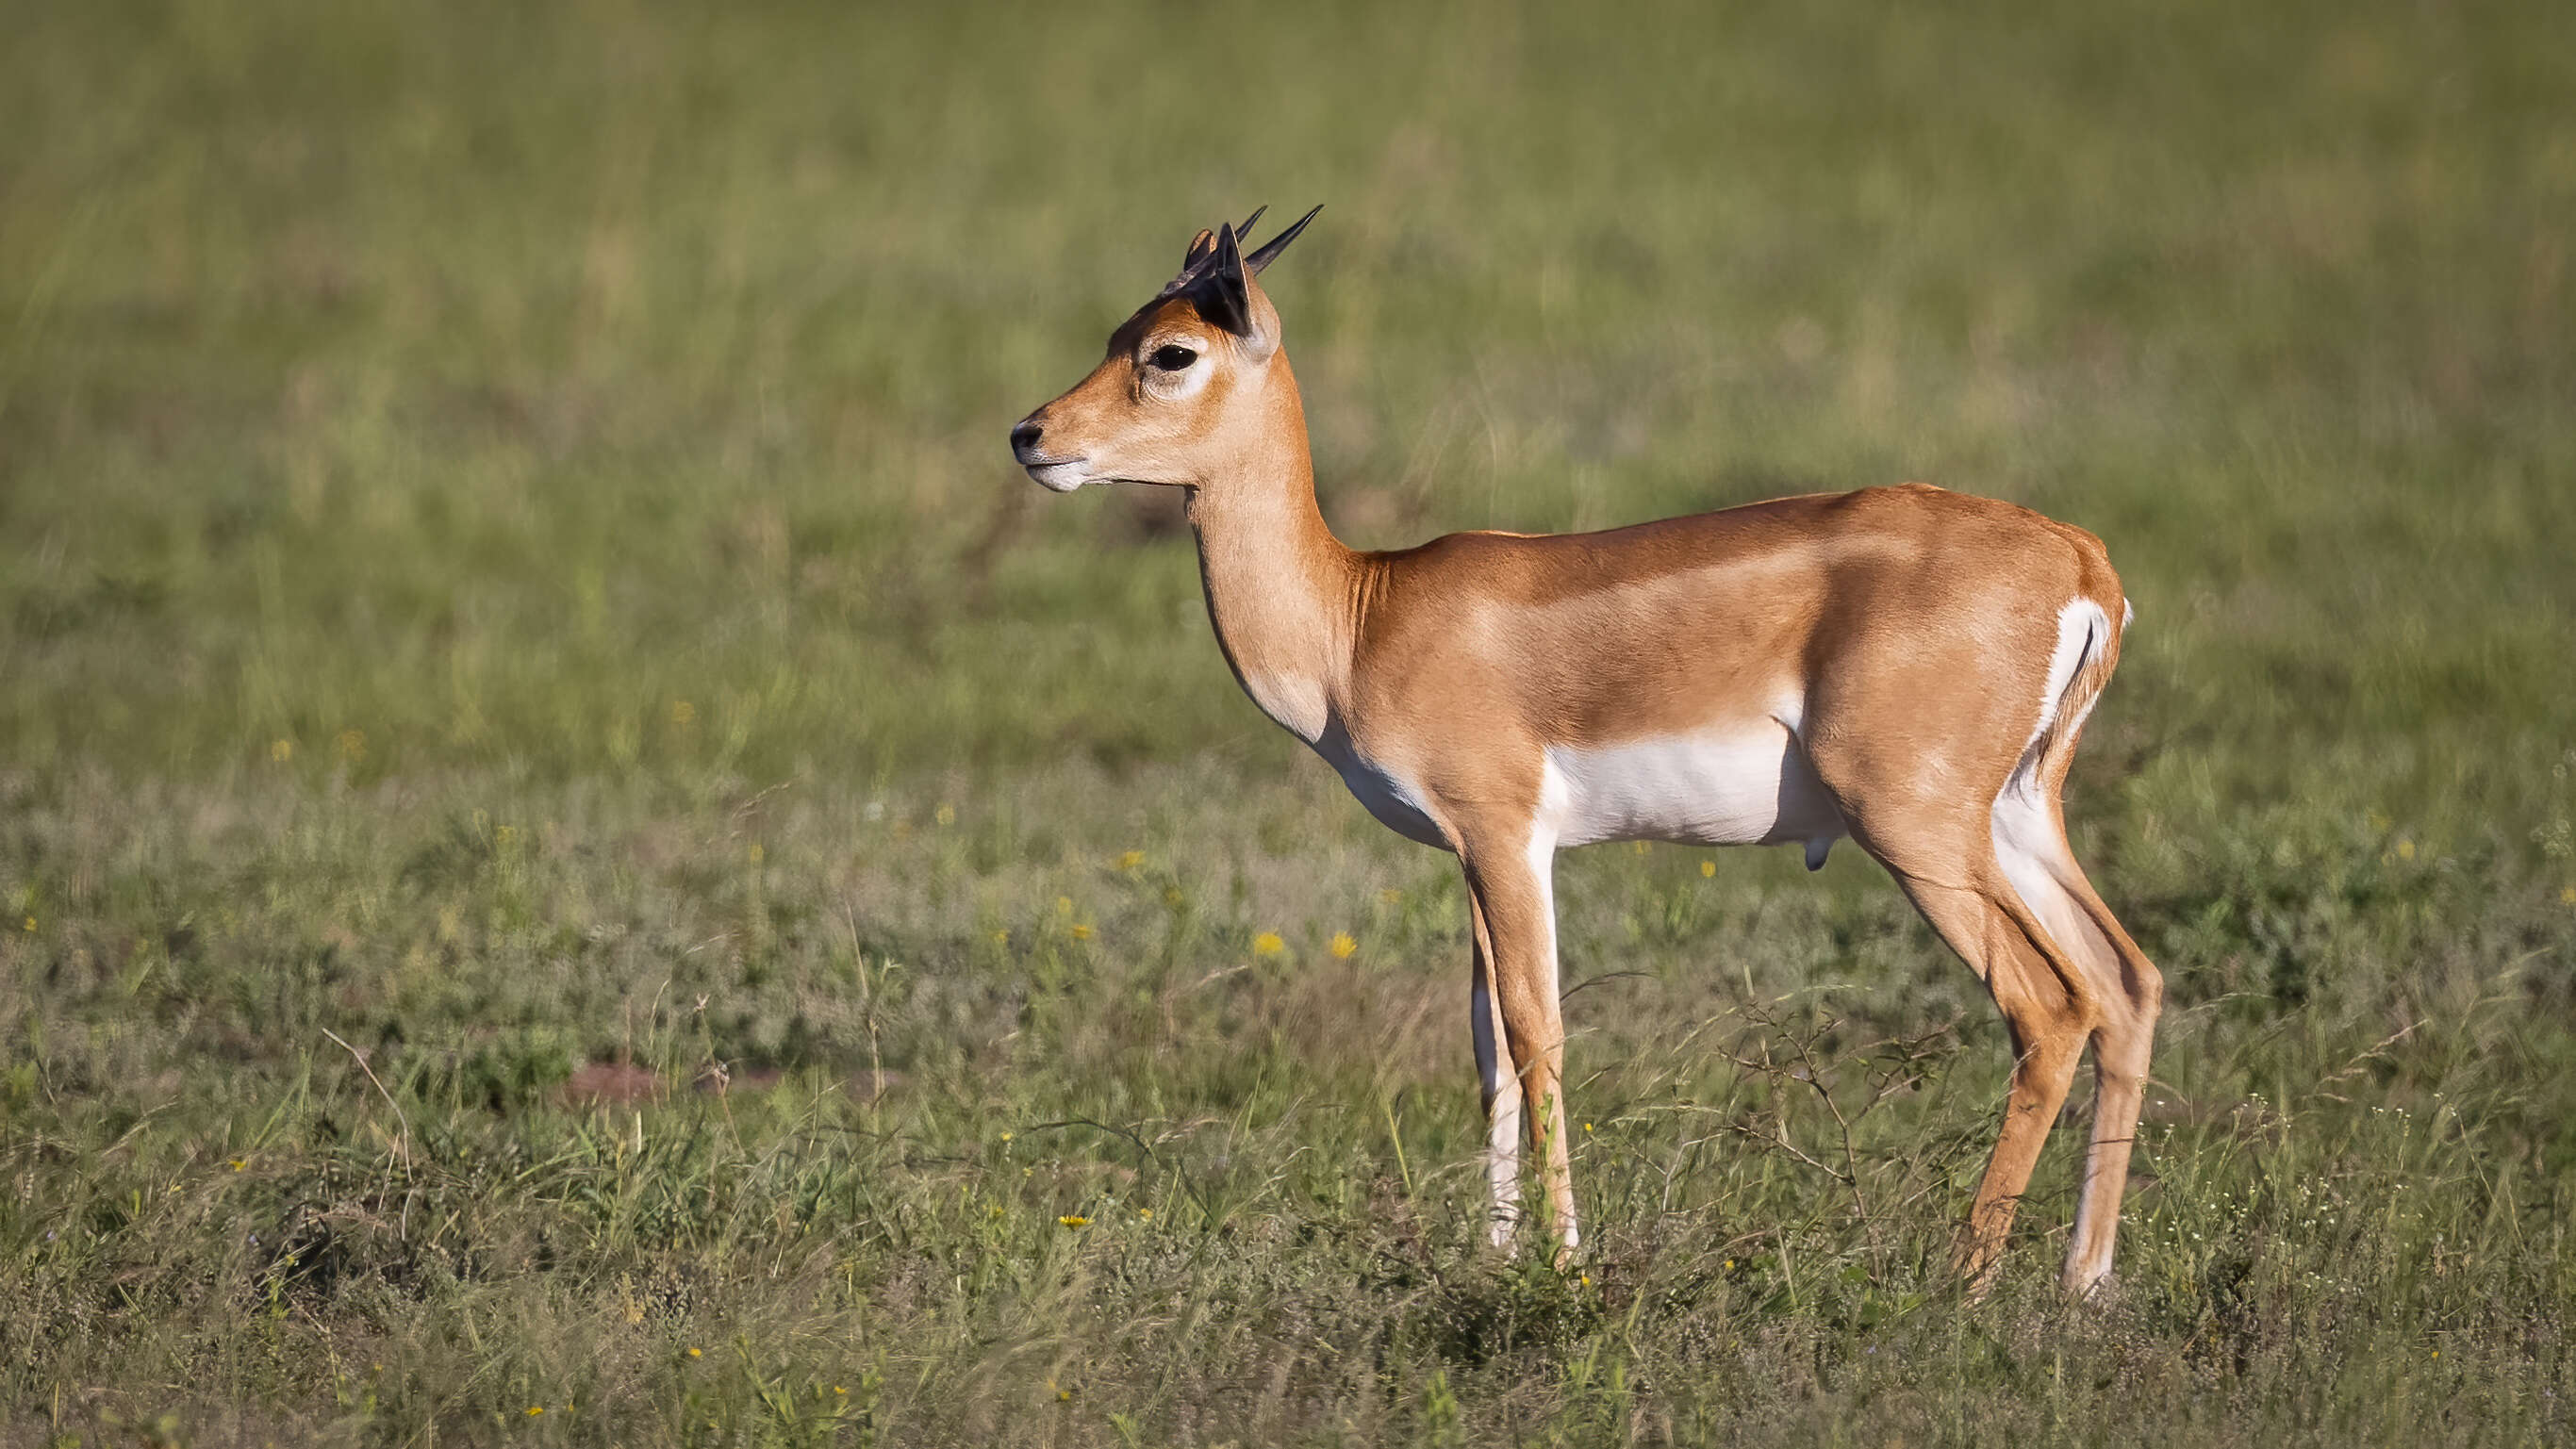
{"type": "Point", "coordinates": [1908, 668]}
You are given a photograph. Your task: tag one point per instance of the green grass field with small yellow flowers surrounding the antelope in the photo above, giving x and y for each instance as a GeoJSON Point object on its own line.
{"type": "Point", "coordinates": [589, 863]}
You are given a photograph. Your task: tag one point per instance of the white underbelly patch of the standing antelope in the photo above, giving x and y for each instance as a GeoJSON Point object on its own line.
{"type": "Point", "coordinates": [1745, 786]}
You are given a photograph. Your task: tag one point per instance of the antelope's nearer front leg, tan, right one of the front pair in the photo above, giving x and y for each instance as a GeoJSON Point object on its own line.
{"type": "Point", "coordinates": [1513, 894]}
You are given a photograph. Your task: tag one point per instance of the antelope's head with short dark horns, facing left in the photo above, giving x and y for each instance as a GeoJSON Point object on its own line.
{"type": "Point", "coordinates": [1184, 380]}
